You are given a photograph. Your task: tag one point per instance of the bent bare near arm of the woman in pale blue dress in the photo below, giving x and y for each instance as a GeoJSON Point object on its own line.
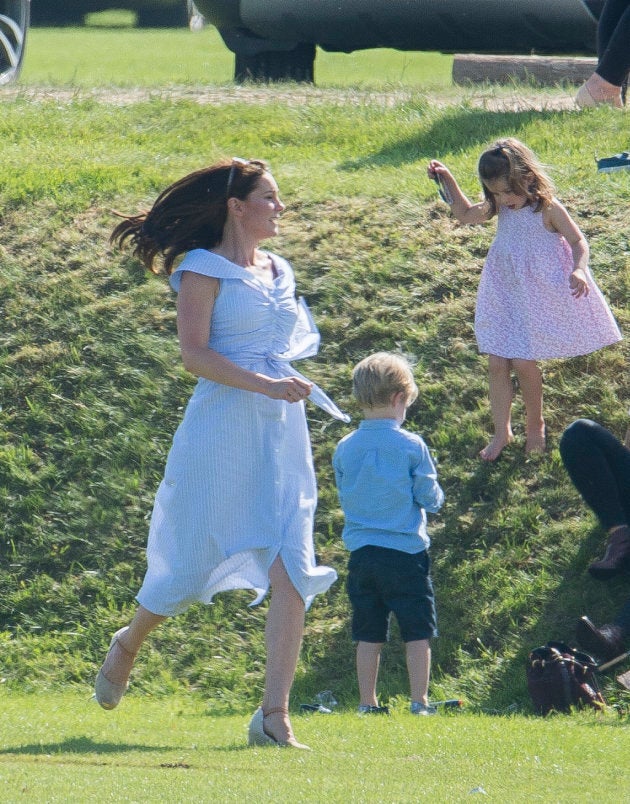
{"type": "Point", "coordinates": [195, 303]}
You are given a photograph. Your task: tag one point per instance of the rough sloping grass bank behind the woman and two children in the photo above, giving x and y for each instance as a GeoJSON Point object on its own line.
{"type": "Point", "coordinates": [92, 388]}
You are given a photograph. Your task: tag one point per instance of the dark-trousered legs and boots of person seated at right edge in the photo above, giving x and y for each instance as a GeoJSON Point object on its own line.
{"type": "Point", "coordinates": [599, 466]}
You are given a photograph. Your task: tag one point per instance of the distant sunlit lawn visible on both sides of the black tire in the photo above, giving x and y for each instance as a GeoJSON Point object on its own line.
{"type": "Point", "coordinates": [102, 56]}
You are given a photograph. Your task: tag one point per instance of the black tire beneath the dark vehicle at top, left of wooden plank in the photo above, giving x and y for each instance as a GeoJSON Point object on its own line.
{"type": "Point", "coordinates": [277, 65]}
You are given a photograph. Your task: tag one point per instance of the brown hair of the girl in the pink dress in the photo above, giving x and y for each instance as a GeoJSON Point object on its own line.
{"type": "Point", "coordinates": [510, 160]}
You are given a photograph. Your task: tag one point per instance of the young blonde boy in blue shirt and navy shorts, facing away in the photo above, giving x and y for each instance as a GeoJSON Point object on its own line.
{"type": "Point", "coordinates": [386, 481]}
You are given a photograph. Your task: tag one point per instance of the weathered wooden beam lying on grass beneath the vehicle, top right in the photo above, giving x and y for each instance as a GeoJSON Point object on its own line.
{"type": "Point", "coordinates": [471, 68]}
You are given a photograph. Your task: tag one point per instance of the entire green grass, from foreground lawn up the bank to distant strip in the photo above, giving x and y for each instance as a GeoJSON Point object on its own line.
{"type": "Point", "coordinates": [92, 391]}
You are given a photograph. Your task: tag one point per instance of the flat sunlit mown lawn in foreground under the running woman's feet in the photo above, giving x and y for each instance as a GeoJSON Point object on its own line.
{"type": "Point", "coordinates": [176, 750]}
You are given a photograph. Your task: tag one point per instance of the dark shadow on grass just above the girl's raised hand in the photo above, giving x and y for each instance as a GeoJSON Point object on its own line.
{"type": "Point", "coordinates": [455, 131]}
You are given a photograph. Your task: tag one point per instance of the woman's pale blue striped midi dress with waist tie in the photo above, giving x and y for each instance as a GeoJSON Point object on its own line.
{"type": "Point", "coordinates": [239, 485]}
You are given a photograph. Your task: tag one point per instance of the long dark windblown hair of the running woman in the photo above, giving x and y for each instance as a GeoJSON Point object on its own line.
{"type": "Point", "coordinates": [189, 214]}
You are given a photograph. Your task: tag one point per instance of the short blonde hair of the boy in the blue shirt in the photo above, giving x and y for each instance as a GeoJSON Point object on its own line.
{"type": "Point", "coordinates": [381, 375]}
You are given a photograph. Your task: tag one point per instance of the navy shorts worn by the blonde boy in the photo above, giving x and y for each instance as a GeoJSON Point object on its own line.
{"type": "Point", "coordinates": [383, 581]}
